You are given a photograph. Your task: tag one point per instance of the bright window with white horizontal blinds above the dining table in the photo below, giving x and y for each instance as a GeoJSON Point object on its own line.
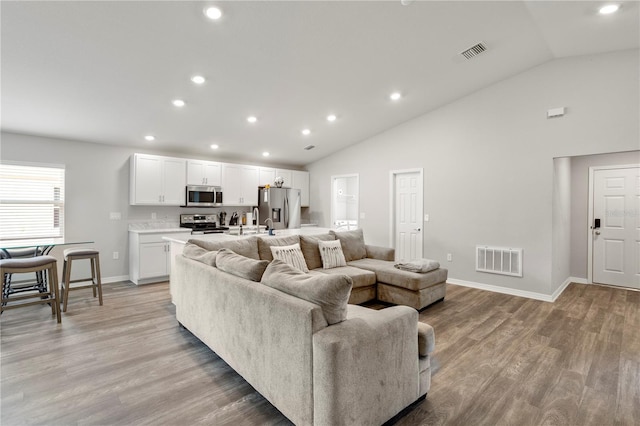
{"type": "Point", "coordinates": [31, 201]}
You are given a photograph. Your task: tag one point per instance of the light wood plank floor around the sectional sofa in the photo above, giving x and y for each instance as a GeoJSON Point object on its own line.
{"type": "Point", "coordinates": [499, 360]}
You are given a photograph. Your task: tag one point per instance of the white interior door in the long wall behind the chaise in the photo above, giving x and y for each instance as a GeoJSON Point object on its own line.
{"type": "Point", "coordinates": [408, 215]}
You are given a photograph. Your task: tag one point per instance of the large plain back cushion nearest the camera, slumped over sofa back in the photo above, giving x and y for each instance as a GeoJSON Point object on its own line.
{"type": "Point", "coordinates": [330, 292]}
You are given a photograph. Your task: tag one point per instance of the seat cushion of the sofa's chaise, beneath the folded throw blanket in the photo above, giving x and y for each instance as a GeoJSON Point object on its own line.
{"type": "Point", "coordinates": [388, 274]}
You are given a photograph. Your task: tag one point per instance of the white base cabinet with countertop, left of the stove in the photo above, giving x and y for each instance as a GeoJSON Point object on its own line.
{"type": "Point", "coordinates": [149, 255]}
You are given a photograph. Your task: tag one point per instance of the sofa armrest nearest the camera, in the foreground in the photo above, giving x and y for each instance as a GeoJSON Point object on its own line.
{"type": "Point", "coordinates": [365, 369]}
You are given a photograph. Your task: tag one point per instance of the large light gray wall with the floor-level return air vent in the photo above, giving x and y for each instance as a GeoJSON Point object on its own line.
{"type": "Point", "coordinates": [488, 162]}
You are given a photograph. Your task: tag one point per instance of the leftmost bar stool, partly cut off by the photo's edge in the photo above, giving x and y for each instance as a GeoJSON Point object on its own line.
{"type": "Point", "coordinates": [39, 265]}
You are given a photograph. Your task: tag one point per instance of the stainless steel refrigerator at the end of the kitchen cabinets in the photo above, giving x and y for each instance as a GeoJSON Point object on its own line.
{"type": "Point", "coordinates": [281, 205]}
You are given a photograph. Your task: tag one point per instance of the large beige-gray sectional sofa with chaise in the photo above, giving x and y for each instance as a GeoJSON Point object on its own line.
{"type": "Point", "coordinates": [297, 338]}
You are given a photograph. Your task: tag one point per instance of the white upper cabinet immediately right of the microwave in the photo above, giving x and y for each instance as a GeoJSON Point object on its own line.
{"type": "Point", "coordinates": [239, 185]}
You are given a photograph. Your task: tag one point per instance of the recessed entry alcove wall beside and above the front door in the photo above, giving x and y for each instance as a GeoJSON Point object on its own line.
{"type": "Point", "coordinates": [580, 202]}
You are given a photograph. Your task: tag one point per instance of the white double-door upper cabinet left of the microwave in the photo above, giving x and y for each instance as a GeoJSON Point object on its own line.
{"type": "Point", "coordinates": [157, 180]}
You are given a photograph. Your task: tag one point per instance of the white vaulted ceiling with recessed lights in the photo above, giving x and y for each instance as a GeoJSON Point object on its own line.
{"type": "Point", "coordinates": [108, 72]}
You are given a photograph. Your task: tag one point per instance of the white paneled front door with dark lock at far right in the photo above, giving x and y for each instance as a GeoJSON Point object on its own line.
{"type": "Point", "coordinates": [616, 226]}
